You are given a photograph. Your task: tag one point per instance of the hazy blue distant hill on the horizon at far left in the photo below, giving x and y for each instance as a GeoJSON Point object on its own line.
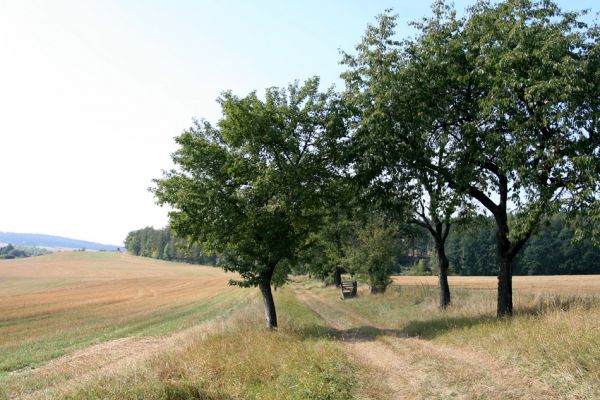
{"type": "Point", "coordinates": [39, 240]}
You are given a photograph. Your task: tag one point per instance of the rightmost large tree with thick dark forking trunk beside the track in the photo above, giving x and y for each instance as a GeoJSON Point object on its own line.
{"type": "Point", "coordinates": [522, 139]}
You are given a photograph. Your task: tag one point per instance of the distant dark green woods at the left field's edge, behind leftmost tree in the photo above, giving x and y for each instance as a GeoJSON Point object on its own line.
{"type": "Point", "coordinates": [162, 244]}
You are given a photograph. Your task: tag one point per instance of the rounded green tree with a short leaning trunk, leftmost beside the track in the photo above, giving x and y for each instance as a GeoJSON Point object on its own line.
{"type": "Point", "coordinates": [250, 188]}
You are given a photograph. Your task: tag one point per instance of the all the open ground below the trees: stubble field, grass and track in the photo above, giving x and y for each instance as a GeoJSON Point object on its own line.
{"type": "Point", "coordinates": [113, 326]}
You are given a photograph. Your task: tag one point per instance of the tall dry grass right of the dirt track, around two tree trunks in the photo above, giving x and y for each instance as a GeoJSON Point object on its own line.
{"type": "Point", "coordinates": [554, 337]}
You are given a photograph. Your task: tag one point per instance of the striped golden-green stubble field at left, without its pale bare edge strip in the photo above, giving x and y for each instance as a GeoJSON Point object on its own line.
{"type": "Point", "coordinates": [54, 305]}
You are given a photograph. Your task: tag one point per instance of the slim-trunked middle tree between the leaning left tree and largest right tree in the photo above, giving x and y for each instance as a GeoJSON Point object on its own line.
{"type": "Point", "coordinates": [399, 170]}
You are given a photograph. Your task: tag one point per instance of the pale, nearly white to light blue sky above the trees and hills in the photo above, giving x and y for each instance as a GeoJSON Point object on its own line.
{"type": "Point", "coordinates": [92, 93]}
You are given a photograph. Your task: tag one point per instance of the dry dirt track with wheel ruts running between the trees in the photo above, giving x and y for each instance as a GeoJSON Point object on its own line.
{"type": "Point", "coordinates": [413, 368]}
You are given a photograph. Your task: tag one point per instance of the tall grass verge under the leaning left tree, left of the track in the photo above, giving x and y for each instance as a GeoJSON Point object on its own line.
{"type": "Point", "coordinates": [241, 360]}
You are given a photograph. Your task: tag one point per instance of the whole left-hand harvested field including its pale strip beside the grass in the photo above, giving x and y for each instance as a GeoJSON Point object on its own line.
{"type": "Point", "coordinates": [66, 318]}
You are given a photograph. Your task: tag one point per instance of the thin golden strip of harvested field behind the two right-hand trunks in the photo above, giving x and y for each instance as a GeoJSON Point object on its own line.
{"type": "Point", "coordinates": [567, 284]}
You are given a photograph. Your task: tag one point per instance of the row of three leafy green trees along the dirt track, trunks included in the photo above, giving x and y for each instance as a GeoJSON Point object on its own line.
{"type": "Point", "coordinates": [495, 113]}
